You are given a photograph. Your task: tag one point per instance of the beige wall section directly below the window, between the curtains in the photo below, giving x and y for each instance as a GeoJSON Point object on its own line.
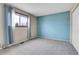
{"type": "Point", "coordinates": [20, 34]}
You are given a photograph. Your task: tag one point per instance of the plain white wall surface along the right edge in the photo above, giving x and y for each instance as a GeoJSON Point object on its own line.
{"type": "Point", "coordinates": [75, 28]}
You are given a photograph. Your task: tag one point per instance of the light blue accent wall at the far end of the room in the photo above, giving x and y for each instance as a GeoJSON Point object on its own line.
{"type": "Point", "coordinates": [54, 26]}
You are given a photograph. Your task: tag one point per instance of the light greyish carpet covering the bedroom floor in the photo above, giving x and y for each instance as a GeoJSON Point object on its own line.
{"type": "Point", "coordinates": [40, 47]}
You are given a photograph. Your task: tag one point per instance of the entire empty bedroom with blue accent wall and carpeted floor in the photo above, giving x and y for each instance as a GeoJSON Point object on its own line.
{"type": "Point", "coordinates": [39, 29]}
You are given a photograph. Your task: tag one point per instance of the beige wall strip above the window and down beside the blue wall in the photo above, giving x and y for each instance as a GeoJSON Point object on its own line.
{"type": "Point", "coordinates": [33, 23]}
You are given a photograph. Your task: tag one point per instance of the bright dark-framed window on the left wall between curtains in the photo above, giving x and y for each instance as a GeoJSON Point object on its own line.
{"type": "Point", "coordinates": [19, 20]}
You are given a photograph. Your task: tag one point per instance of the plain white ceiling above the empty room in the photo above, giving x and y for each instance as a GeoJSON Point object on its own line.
{"type": "Point", "coordinates": [40, 9]}
